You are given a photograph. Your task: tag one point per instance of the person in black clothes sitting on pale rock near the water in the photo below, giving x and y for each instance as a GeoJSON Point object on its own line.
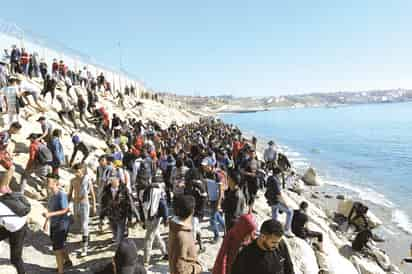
{"type": "Point", "coordinates": [299, 225]}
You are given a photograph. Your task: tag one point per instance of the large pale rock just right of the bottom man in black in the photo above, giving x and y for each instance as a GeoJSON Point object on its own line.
{"type": "Point", "coordinates": [302, 255]}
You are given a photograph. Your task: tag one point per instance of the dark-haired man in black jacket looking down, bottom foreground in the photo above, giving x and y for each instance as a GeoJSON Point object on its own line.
{"type": "Point", "coordinates": [266, 255]}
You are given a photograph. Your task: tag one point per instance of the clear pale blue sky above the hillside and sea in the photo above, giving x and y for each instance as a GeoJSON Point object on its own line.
{"type": "Point", "coordinates": [242, 48]}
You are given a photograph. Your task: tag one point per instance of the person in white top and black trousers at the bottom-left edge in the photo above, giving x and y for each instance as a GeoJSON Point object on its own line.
{"type": "Point", "coordinates": [13, 228]}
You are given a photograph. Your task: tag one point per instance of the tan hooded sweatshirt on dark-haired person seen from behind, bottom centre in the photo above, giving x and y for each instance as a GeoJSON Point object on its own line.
{"type": "Point", "coordinates": [182, 249]}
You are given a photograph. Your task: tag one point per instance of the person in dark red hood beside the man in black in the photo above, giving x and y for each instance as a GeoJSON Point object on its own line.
{"type": "Point", "coordinates": [242, 232]}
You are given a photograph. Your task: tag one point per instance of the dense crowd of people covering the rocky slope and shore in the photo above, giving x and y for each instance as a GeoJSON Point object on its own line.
{"type": "Point", "coordinates": [178, 177]}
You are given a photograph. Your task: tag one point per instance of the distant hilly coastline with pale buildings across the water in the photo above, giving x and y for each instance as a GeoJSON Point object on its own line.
{"type": "Point", "coordinates": [228, 103]}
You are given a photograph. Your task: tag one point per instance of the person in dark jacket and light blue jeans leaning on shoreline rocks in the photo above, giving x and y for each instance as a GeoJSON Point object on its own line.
{"type": "Point", "coordinates": [275, 200]}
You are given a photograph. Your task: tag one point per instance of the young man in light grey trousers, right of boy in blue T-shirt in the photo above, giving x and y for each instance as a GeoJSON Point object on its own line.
{"type": "Point", "coordinates": [80, 188]}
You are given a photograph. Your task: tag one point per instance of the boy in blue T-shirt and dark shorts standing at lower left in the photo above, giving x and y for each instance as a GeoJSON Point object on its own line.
{"type": "Point", "coordinates": [58, 220]}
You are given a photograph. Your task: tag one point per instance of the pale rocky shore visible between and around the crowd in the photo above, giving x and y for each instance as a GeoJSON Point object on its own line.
{"type": "Point", "coordinates": [336, 258]}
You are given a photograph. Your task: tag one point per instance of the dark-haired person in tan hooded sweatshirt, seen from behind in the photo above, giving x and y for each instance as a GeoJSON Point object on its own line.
{"type": "Point", "coordinates": [182, 249]}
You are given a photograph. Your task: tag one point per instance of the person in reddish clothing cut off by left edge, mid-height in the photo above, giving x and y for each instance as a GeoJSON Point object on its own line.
{"type": "Point", "coordinates": [6, 159]}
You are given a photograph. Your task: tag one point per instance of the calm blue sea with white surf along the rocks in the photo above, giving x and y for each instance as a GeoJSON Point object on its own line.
{"type": "Point", "coordinates": [366, 149]}
